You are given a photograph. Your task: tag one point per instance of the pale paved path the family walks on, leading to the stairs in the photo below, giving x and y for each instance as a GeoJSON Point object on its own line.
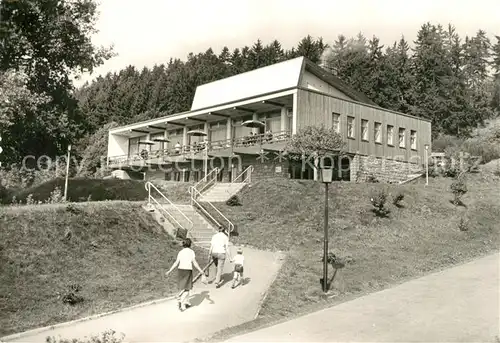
{"type": "Point", "coordinates": [213, 309]}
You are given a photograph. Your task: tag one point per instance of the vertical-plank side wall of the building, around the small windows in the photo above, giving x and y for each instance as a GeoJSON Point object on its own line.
{"type": "Point", "coordinates": [316, 108]}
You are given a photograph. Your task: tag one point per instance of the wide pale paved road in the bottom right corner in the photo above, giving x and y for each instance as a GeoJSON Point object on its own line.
{"type": "Point", "coordinates": [460, 304]}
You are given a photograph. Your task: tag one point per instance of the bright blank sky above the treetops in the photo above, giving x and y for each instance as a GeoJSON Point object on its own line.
{"type": "Point", "coordinates": [149, 32]}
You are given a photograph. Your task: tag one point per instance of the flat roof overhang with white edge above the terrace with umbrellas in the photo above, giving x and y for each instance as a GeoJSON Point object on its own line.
{"type": "Point", "coordinates": [235, 111]}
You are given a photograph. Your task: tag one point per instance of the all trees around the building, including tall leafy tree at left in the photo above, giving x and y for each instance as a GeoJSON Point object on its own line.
{"type": "Point", "coordinates": [452, 80]}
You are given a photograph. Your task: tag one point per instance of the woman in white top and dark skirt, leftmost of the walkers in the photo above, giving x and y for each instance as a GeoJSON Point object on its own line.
{"type": "Point", "coordinates": [184, 263]}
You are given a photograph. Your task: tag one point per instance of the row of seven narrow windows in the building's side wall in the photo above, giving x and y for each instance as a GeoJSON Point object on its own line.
{"type": "Point", "coordinates": [377, 132]}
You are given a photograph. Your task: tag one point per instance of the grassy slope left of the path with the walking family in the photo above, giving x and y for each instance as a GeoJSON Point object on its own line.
{"type": "Point", "coordinates": [117, 253]}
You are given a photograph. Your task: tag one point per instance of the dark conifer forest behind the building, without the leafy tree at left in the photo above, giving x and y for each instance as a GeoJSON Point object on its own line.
{"type": "Point", "coordinates": [444, 77]}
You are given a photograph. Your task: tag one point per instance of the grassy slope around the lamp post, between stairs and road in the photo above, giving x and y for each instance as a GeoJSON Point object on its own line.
{"type": "Point", "coordinates": [417, 239]}
